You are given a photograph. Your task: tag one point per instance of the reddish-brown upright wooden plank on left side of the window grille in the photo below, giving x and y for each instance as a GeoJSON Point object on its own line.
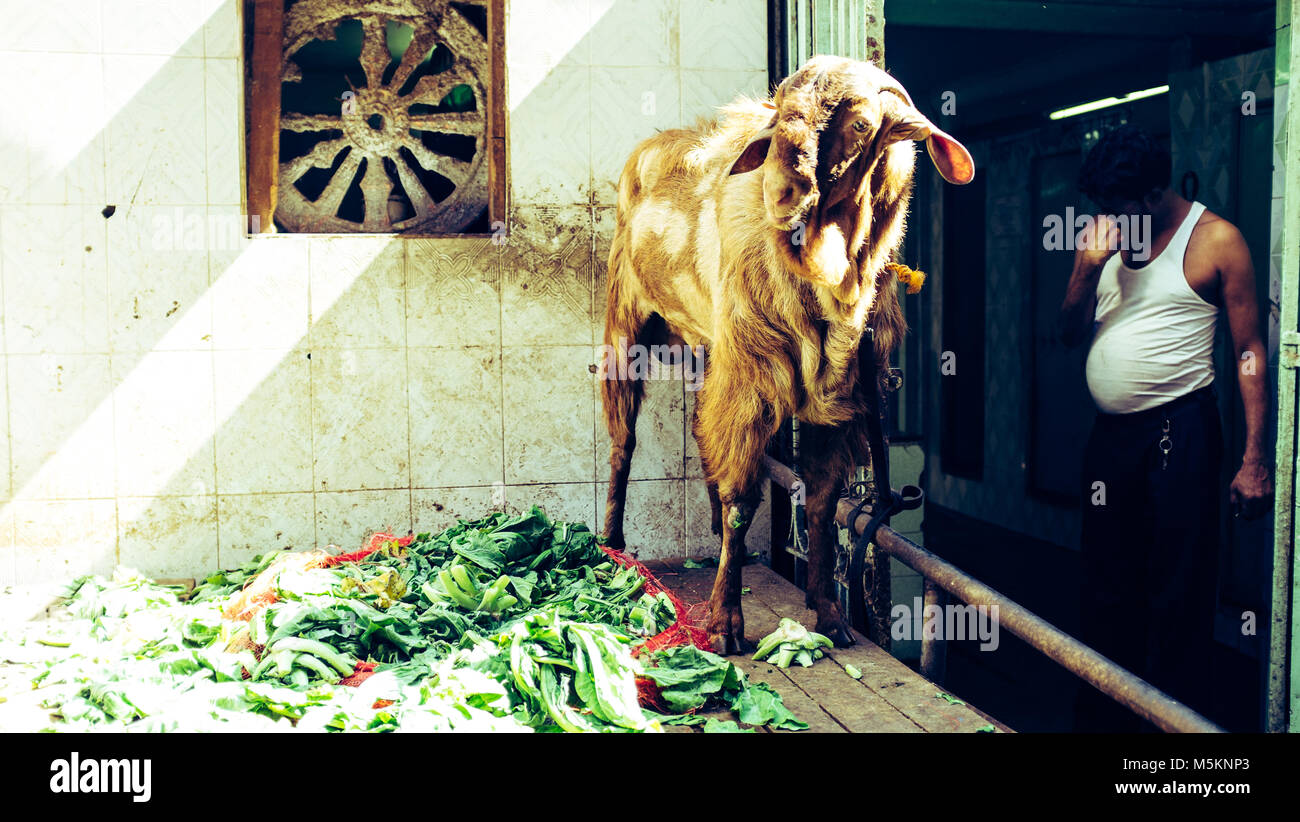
{"type": "Point", "coordinates": [263, 111]}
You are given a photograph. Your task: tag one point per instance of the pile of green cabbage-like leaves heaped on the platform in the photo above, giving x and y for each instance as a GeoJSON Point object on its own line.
{"type": "Point", "coordinates": [505, 624]}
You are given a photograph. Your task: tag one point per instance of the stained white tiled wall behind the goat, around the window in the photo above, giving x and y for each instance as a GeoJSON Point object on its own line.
{"type": "Point", "coordinates": [180, 399]}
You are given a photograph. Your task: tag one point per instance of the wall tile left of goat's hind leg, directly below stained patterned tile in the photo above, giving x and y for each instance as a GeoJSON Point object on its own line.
{"type": "Point", "coordinates": [549, 416]}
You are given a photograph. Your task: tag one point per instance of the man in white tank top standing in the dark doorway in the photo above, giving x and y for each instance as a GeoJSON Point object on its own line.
{"type": "Point", "coordinates": [1151, 486]}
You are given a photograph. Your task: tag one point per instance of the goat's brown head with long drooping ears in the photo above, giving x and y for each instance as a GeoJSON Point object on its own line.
{"type": "Point", "coordinates": [833, 123]}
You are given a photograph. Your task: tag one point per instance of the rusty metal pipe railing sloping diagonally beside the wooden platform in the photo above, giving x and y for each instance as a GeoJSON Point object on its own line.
{"type": "Point", "coordinates": [1111, 680]}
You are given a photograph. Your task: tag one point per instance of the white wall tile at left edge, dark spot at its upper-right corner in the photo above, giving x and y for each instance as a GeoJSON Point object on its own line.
{"type": "Point", "coordinates": [55, 283]}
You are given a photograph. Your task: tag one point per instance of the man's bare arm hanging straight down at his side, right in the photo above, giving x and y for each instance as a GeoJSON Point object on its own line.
{"type": "Point", "coordinates": [1253, 484]}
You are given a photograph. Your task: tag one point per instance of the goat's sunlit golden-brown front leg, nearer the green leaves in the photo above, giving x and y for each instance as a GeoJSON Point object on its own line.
{"type": "Point", "coordinates": [734, 429]}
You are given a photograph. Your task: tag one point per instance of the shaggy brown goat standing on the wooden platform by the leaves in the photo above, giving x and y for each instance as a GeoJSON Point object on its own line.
{"type": "Point", "coordinates": [777, 275]}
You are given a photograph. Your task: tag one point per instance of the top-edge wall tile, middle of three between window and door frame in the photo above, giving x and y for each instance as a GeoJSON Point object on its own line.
{"type": "Point", "coordinates": [635, 33]}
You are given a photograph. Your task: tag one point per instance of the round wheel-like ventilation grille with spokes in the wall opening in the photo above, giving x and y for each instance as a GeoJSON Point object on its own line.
{"type": "Point", "coordinates": [404, 146]}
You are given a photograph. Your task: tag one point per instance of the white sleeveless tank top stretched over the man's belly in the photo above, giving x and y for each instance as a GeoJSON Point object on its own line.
{"type": "Point", "coordinates": [1155, 336]}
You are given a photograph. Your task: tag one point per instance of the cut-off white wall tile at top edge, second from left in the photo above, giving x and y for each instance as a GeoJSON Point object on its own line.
{"type": "Point", "coordinates": [155, 28]}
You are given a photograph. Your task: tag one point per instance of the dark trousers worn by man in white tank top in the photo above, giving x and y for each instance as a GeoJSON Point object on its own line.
{"type": "Point", "coordinates": [1151, 552]}
